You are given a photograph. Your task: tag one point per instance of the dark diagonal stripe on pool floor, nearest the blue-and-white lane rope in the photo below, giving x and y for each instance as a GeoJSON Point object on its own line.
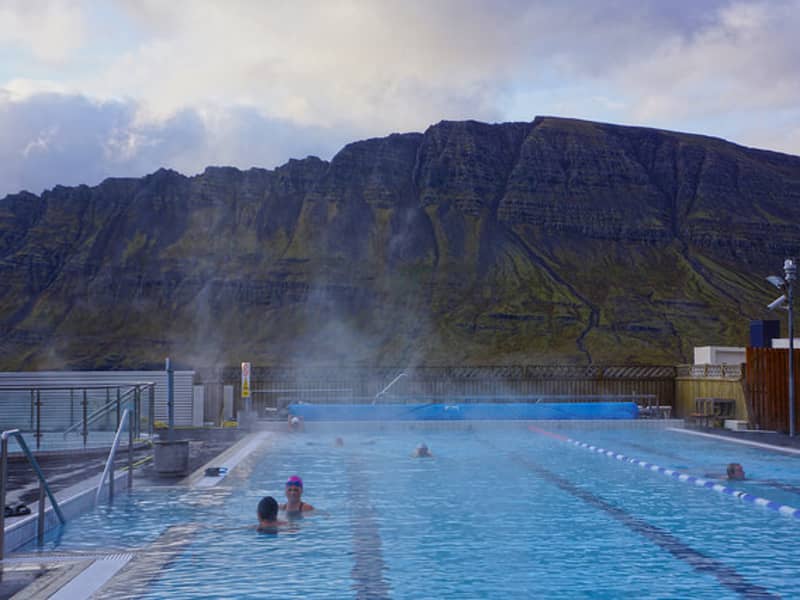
{"type": "Point", "coordinates": [727, 576]}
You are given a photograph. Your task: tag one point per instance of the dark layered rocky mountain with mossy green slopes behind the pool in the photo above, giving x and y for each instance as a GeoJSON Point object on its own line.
{"type": "Point", "coordinates": [555, 241]}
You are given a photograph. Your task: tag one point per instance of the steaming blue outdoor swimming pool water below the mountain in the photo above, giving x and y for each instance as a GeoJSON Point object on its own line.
{"type": "Point", "coordinates": [500, 511]}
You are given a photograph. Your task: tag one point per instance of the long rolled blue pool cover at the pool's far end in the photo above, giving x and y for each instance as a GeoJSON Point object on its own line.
{"type": "Point", "coordinates": [480, 411]}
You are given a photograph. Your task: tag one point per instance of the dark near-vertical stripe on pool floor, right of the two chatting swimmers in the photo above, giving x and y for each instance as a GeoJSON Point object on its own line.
{"type": "Point", "coordinates": [368, 570]}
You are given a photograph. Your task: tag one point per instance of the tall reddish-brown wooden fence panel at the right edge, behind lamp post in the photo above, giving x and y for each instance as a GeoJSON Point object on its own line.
{"type": "Point", "coordinates": [767, 384]}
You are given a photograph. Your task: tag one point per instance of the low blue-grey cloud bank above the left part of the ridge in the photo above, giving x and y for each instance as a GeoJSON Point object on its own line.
{"type": "Point", "coordinates": [51, 139]}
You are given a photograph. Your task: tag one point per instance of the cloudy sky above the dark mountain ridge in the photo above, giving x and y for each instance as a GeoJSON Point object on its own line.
{"type": "Point", "coordinates": [96, 88]}
